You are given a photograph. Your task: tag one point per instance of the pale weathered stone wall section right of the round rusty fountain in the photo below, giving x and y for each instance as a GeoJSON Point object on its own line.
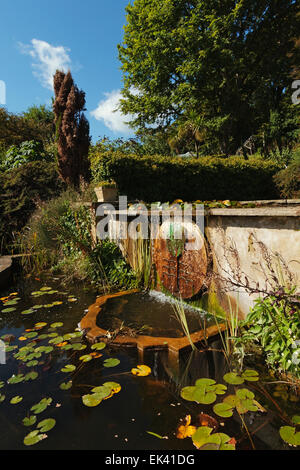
{"type": "Point", "coordinates": [248, 244]}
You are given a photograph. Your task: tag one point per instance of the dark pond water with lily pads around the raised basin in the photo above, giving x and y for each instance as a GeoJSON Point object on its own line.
{"type": "Point", "coordinates": [144, 405]}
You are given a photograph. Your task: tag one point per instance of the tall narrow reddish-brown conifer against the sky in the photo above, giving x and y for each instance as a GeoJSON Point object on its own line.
{"type": "Point", "coordinates": [72, 130]}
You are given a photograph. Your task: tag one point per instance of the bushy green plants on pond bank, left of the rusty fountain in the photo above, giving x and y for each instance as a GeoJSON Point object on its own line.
{"type": "Point", "coordinates": [60, 235]}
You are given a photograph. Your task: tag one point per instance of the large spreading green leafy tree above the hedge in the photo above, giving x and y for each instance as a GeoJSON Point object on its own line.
{"type": "Point", "coordinates": [228, 61]}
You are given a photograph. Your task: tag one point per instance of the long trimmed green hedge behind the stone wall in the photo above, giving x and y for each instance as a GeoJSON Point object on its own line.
{"type": "Point", "coordinates": [156, 178]}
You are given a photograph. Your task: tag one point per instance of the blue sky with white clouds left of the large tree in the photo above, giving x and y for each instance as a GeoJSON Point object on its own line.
{"type": "Point", "coordinates": [36, 36]}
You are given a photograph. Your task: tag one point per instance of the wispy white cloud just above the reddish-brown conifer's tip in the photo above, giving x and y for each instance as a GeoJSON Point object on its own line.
{"type": "Point", "coordinates": [47, 59]}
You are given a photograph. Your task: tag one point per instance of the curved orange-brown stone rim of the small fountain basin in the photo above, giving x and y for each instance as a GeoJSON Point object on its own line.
{"type": "Point", "coordinates": [93, 333]}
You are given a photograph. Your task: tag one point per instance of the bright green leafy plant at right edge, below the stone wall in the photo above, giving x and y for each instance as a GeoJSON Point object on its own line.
{"type": "Point", "coordinates": [275, 325]}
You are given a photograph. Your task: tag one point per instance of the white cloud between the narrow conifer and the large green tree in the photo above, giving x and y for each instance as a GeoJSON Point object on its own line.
{"type": "Point", "coordinates": [108, 112]}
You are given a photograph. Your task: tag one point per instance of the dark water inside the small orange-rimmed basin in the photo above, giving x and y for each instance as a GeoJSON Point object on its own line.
{"type": "Point", "coordinates": [150, 314]}
